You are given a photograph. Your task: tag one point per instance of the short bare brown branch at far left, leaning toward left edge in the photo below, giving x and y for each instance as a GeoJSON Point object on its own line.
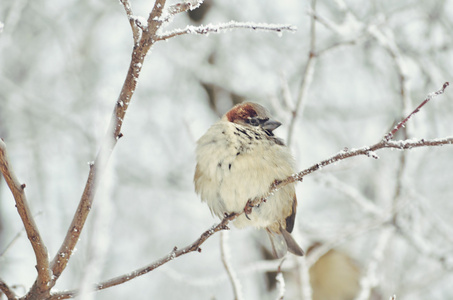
{"type": "Point", "coordinates": [17, 189]}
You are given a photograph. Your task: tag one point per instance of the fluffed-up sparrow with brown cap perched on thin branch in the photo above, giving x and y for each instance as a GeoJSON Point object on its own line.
{"type": "Point", "coordinates": [238, 159]}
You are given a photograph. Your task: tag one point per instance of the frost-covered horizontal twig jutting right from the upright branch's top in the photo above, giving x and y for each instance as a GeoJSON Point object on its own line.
{"type": "Point", "coordinates": [206, 29]}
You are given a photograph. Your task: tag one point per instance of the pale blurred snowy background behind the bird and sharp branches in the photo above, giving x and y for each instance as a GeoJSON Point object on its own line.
{"type": "Point", "coordinates": [373, 228]}
